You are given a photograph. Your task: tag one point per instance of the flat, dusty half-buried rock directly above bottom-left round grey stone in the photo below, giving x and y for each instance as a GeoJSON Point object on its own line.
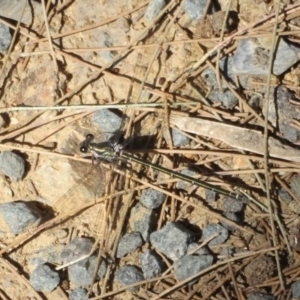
{"type": "Point", "coordinates": [50, 254]}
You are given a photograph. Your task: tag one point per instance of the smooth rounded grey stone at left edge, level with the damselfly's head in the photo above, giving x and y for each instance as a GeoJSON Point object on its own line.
{"type": "Point", "coordinates": [12, 165]}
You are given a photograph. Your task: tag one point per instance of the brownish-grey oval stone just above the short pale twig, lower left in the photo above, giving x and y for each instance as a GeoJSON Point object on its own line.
{"type": "Point", "coordinates": [77, 248]}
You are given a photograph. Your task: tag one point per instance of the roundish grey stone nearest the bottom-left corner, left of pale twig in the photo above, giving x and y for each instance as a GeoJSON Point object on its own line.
{"type": "Point", "coordinates": [43, 279]}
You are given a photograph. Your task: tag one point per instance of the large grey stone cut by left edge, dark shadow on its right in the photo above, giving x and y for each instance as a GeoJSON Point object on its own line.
{"type": "Point", "coordinates": [19, 215]}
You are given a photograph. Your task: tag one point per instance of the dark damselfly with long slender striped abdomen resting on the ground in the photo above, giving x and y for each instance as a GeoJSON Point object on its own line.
{"type": "Point", "coordinates": [111, 150]}
